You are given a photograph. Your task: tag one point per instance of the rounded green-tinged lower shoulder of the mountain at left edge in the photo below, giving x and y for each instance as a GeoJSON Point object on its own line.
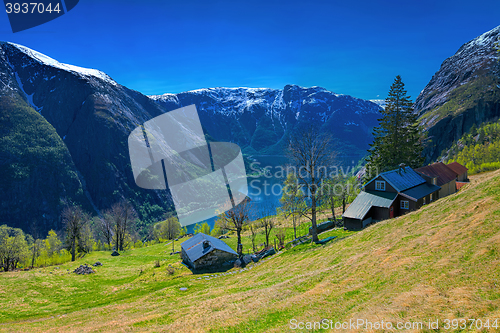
{"type": "Point", "coordinates": [37, 172]}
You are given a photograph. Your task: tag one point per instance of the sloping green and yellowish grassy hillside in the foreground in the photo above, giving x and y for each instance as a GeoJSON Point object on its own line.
{"type": "Point", "coordinates": [437, 263]}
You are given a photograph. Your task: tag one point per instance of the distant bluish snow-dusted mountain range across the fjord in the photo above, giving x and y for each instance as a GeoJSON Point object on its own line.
{"type": "Point", "coordinates": [260, 120]}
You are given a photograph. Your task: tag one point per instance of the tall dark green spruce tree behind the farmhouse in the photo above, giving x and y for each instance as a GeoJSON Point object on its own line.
{"type": "Point", "coordinates": [398, 137]}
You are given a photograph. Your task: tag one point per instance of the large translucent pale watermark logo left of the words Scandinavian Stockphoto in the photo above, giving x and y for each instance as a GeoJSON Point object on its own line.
{"type": "Point", "coordinates": [205, 179]}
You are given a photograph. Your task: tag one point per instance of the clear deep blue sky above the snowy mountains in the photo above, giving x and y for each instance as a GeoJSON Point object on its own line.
{"type": "Point", "coordinates": [354, 48]}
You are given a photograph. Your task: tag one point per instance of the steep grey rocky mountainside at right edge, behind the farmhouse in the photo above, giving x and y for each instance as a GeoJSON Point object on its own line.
{"type": "Point", "coordinates": [463, 92]}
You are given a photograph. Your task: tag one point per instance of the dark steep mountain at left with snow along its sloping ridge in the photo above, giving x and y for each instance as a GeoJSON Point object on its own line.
{"type": "Point", "coordinates": [89, 117]}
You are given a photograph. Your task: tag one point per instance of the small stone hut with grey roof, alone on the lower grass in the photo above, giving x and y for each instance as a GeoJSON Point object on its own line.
{"type": "Point", "coordinates": [204, 252]}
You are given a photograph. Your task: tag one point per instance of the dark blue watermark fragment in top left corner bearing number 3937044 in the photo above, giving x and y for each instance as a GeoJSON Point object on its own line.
{"type": "Point", "coordinates": [24, 15]}
